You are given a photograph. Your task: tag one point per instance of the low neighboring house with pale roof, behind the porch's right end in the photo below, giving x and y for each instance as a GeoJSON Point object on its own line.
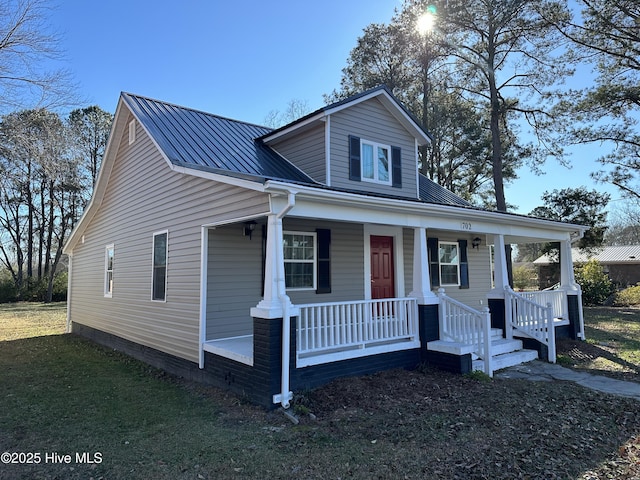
{"type": "Point", "coordinates": [620, 263]}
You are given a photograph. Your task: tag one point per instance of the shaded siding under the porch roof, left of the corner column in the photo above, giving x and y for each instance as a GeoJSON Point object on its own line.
{"type": "Point", "coordinates": [234, 280]}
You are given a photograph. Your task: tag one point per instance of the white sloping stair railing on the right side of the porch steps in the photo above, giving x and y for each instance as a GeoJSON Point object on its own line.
{"type": "Point", "coordinates": [531, 319]}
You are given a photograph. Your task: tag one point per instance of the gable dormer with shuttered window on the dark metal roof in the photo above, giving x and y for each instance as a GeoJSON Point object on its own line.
{"type": "Point", "coordinates": [367, 143]}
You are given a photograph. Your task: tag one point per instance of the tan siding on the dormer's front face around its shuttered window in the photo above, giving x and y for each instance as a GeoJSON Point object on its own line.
{"type": "Point", "coordinates": [371, 121]}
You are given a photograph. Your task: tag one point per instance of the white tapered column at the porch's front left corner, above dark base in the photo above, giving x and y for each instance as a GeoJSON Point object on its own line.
{"type": "Point", "coordinates": [275, 296]}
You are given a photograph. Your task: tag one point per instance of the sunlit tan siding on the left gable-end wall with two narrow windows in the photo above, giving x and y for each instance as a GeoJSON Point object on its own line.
{"type": "Point", "coordinates": [144, 196]}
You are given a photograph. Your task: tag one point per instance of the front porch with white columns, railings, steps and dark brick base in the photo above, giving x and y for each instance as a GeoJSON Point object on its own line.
{"type": "Point", "coordinates": [291, 340]}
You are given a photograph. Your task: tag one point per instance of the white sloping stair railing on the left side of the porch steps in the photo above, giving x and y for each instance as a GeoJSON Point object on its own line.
{"type": "Point", "coordinates": [463, 324]}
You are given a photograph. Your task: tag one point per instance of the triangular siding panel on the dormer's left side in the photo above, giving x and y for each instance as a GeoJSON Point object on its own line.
{"type": "Point", "coordinates": [306, 151]}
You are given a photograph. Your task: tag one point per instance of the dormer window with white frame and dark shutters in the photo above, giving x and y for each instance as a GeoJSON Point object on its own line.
{"type": "Point", "coordinates": [374, 162]}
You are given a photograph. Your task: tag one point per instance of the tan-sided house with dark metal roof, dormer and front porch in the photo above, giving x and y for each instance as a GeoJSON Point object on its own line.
{"type": "Point", "coordinates": [269, 261]}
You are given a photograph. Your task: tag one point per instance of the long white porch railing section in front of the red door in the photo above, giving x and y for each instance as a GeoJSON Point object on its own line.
{"type": "Point", "coordinates": [341, 330]}
